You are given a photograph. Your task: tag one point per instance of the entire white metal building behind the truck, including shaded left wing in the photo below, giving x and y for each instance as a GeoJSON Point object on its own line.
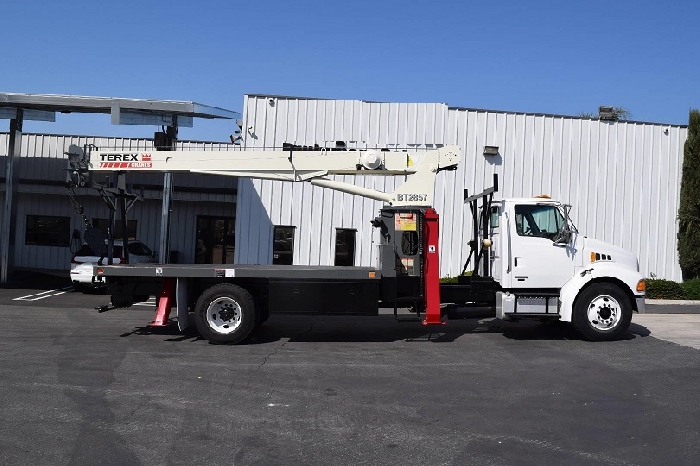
{"type": "Point", "coordinates": [621, 177]}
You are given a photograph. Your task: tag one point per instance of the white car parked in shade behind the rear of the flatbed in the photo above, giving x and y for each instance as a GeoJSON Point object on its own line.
{"type": "Point", "coordinates": [83, 261]}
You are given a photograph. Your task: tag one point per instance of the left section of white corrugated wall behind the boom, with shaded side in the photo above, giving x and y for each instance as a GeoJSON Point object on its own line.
{"type": "Point", "coordinates": [317, 212]}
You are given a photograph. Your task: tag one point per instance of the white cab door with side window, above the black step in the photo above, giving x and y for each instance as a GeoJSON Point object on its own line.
{"type": "Point", "coordinates": [534, 260]}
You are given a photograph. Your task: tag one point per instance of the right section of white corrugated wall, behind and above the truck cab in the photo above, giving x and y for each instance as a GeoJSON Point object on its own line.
{"type": "Point", "coordinates": [622, 178]}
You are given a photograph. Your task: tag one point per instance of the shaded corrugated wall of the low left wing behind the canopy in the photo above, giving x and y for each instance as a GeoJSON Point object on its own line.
{"type": "Point", "coordinates": [41, 168]}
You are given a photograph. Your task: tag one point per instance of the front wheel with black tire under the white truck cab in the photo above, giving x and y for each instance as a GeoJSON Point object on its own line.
{"type": "Point", "coordinates": [602, 312]}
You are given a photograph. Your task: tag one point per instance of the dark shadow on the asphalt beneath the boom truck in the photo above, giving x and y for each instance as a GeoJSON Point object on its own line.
{"type": "Point", "coordinates": [384, 328]}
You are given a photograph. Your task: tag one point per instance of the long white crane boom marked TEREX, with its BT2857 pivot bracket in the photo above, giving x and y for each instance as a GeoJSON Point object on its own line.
{"type": "Point", "coordinates": [420, 167]}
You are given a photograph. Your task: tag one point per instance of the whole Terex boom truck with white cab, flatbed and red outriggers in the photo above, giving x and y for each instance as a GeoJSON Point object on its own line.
{"type": "Point", "coordinates": [529, 260]}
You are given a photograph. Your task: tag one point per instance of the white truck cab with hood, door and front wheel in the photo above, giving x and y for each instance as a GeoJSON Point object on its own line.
{"type": "Point", "coordinates": [546, 268]}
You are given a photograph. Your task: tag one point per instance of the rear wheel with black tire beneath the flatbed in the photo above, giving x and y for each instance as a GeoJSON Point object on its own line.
{"type": "Point", "coordinates": [225, 314]}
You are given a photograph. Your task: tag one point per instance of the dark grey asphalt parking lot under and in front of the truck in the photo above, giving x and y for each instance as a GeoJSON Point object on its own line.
{"type": "Point", "coordinates": [85, 388]}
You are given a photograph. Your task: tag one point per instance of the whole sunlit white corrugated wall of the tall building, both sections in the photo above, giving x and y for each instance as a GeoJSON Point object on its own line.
{"type": "Point", "coordinates": [621, 177]}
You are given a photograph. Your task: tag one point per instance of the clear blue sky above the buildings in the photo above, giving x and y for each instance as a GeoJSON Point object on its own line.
{"type": "Point", "coordinates": [534, 56]}
